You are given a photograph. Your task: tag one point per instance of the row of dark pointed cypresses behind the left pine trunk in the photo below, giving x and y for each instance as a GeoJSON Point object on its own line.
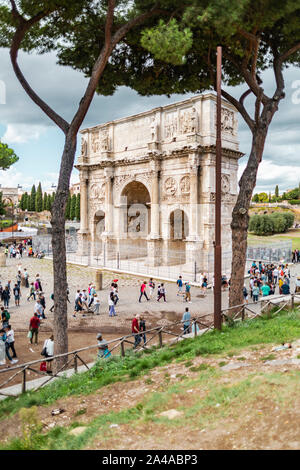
{"type": "Point", "coordinates": [37, 201]}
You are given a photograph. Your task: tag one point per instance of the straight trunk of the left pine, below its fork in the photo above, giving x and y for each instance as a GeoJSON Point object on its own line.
{"type": "Point", "coordinates": [60, 322]}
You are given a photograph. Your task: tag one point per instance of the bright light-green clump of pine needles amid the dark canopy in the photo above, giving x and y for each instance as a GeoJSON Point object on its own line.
{"type": "Point", "coordinates": [168, 42]}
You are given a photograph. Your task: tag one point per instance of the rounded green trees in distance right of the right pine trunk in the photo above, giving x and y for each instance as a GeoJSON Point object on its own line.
{"type": "Point", "coordinates": [267, 224]}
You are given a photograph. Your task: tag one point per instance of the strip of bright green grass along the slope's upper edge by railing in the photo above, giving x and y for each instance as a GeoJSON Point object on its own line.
{"type": "Point", "coordinates": [283, 327]}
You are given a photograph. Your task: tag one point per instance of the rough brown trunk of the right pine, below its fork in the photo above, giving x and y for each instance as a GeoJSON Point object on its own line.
{"type": "Point", "coordinates": [240, 217]}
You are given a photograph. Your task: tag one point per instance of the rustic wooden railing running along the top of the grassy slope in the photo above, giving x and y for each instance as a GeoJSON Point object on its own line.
{"type": "Point", "coordinates": [204, 324]}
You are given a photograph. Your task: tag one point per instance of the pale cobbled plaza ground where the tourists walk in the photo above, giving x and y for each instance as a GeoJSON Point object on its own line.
{"type": "Point", "coordinates": [80, 277]}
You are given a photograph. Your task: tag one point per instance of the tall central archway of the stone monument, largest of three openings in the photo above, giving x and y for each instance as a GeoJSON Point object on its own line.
{"type": "Point", "coordinates": [136, 220]}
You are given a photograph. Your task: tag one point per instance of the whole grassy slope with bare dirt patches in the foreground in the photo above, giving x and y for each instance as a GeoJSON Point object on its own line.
{"type": "Point", "coordinates": [223, 390]}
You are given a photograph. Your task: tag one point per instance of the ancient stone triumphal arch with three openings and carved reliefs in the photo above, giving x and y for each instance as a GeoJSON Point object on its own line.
{"type": "Point", "coordinates": [147, 184]}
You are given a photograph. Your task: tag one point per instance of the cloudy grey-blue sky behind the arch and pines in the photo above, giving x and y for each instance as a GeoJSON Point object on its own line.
{"type": "Point", "coordinates": [39, 144]}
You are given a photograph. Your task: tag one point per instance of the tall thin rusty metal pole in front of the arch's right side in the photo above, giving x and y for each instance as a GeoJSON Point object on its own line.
{"type": "Point", "coordinates": [218, 249]}
